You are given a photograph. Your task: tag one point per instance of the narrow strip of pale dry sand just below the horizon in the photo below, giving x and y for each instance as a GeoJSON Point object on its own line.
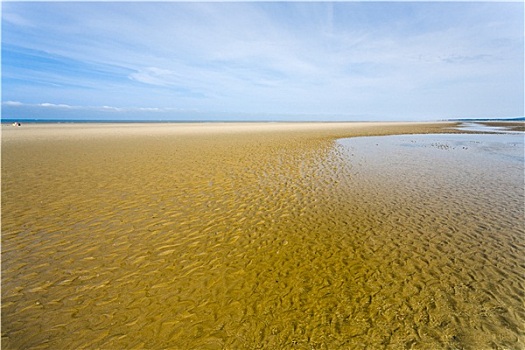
{"type": "Point", "coordinates": [79, 131]}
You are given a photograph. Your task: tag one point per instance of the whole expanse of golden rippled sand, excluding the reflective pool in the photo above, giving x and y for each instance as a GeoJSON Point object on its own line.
{"type": "Point", "coordinates": [243, 236]}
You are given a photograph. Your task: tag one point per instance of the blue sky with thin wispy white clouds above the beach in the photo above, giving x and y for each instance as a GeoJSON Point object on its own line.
{"type": "Point", "coordinates": [325, 61]}
